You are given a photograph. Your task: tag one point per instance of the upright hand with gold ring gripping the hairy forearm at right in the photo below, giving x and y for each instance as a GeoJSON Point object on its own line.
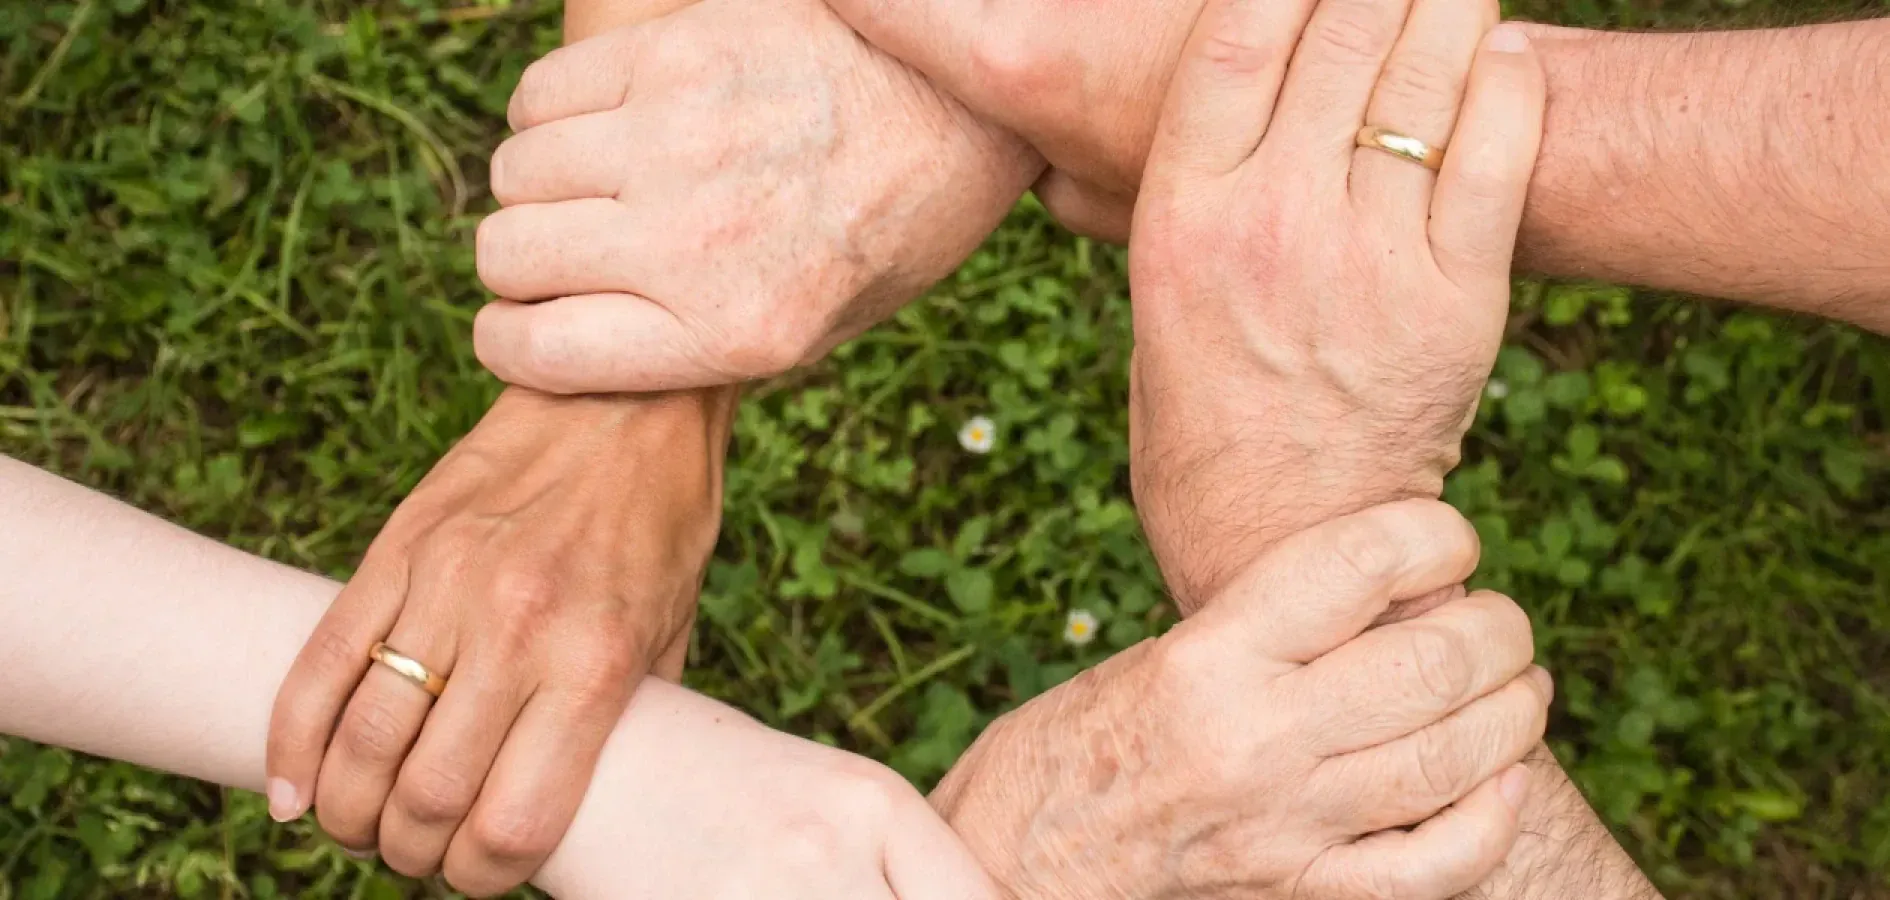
{"type": "Point", "coordinates": [1314, 322]}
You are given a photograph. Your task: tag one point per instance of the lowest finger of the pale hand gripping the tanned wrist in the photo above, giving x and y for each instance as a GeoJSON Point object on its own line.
{"type": "Point", "coordinates": [600, 343]}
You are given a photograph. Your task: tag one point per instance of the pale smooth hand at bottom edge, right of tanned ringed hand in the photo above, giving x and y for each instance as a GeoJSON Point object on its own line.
{"type": "Point", "coordinates": [698, 803]}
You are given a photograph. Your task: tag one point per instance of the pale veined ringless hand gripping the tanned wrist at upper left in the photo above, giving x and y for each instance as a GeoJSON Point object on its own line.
{"type": "Point", "coordinates": [721, 196]}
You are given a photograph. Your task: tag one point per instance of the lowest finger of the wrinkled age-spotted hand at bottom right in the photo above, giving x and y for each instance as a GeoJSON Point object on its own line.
{"type": "Point", "coordinates": [1443, 857]}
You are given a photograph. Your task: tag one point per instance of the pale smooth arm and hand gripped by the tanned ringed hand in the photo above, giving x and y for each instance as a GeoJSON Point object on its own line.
{"type": "Point", "coordinates": [171, 655]}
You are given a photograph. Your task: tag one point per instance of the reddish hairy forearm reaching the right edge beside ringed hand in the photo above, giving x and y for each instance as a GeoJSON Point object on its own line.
{"type": "Point", "coordinates": [1742, 165]}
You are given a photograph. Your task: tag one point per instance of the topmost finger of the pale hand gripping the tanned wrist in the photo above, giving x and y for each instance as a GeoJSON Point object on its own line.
{"type": "Point", "coordinates": [583, 78]}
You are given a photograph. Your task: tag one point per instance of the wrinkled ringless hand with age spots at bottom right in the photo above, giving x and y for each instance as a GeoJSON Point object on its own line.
{"type": "Point", "coordinates": [1267, 748]}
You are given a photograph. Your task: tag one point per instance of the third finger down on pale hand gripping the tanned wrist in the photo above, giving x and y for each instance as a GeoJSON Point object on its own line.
{"type": "Point", "coordinates": [560, 249]}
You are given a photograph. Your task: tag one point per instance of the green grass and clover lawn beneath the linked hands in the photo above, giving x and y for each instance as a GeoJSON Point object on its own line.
{"type": "Point", "coordinates": [235, 288]}
